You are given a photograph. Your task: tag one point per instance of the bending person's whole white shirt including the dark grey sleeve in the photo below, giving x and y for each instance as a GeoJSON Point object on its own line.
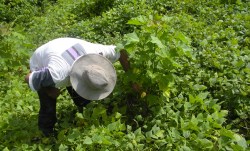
{"type": "Point", "coordinates": [48, 65]}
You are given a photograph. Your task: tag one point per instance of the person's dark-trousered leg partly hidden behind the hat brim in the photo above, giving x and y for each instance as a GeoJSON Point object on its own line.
{"type": "Point", "coordinates": [78, 100]}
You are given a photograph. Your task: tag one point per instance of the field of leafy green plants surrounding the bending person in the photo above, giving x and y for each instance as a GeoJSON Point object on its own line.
{"type": "Point", "coordinates": [191, 59]}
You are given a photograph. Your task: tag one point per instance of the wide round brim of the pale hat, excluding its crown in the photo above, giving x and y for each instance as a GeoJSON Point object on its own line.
{"type": "Point", "coordinates": [80, 85]}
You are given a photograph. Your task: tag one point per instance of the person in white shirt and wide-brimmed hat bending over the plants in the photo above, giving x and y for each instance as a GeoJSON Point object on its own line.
{"type": "Point", "coordinates": [51, 65]}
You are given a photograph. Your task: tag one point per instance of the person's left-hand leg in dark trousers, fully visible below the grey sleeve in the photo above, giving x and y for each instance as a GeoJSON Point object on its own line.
{"type": "Point", "coordinates": [47, 113]}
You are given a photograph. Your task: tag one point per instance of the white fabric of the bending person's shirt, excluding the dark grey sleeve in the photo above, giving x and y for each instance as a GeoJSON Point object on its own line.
{"type": "Point", "coordinates": [50, 56]}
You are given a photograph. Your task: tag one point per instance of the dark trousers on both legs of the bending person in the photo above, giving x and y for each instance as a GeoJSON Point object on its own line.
{"type": "Point", "coordinates": [47, 113]}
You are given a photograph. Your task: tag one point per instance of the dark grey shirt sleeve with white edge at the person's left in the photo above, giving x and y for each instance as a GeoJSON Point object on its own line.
{"type": "Point", "coordinates": [40, 78]}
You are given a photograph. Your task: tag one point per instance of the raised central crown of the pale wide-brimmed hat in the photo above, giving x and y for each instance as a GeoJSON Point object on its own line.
{"type": "Point", "coordinates": [95, 77]}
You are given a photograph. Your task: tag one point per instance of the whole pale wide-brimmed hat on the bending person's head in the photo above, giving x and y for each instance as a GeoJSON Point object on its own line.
{"type": "Point", "coordinates": [93, 76]}
